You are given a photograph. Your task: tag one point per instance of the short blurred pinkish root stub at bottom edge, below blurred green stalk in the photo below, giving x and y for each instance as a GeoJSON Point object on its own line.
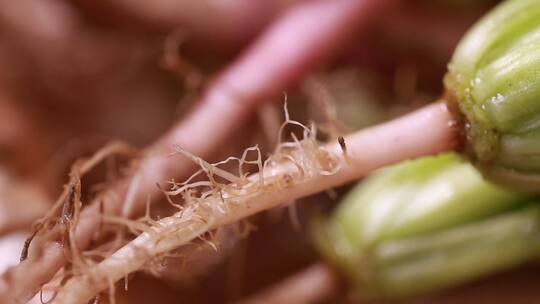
{"type": "Point", "coordinates": [311, 285]}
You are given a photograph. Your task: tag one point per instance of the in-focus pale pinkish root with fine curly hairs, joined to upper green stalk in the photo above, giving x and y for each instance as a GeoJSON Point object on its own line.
{"type": "Point", "coordinates": [298, 168]}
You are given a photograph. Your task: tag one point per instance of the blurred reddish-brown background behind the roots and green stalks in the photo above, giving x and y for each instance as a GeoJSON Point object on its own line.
{"type": "Point", "coordinates": [75, 75]}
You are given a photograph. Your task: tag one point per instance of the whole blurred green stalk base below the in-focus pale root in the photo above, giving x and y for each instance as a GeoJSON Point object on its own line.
{"type": "Point", "coordinates": [398, 220]}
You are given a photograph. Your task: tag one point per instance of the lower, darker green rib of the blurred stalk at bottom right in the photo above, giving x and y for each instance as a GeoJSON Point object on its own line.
{"type": "Point", "coordinates": [456, 255]}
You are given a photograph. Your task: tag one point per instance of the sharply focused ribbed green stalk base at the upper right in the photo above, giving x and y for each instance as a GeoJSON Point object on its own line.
{"type": "Point", "coordinates": [494, 79]}
